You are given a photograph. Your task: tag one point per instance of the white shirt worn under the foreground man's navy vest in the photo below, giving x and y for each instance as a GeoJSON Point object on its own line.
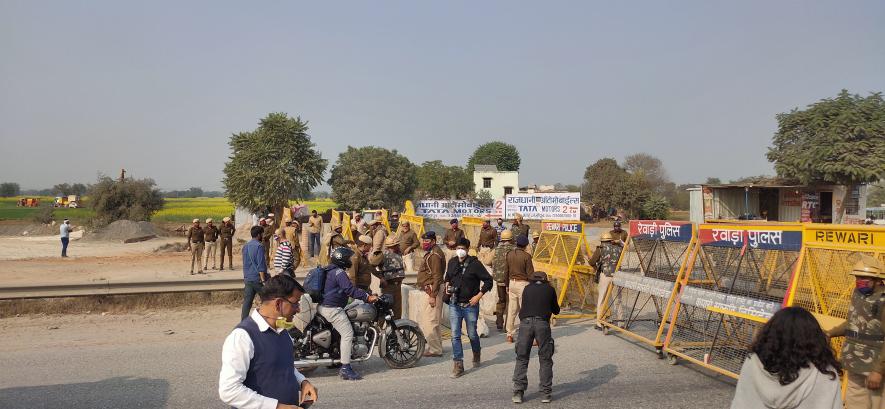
{"type": "Point", "coordinates": [236, 353]}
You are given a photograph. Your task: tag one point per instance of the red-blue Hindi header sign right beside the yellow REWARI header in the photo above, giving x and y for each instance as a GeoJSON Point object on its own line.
{"type": "Point", "coordinates": [761, 237]}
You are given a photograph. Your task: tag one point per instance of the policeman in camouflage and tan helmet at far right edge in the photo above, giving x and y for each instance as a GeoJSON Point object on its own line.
{"type": "Point", "coordinates": [862, 353]}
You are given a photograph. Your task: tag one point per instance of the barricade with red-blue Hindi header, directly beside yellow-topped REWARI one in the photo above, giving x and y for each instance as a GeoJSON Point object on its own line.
{"type": "Point", "coordinates": [739, 277]}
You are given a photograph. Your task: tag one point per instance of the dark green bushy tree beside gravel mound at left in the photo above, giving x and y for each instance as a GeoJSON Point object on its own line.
{"type": "Point", "coordinates": [129, 199]}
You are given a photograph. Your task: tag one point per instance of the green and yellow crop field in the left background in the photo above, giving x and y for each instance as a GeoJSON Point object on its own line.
{"type": "Point", "coordinates": [175, 210]}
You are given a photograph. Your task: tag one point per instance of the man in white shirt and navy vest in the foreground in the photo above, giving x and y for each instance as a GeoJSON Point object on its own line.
{"type": "Point", "coordinates": [257, 356]}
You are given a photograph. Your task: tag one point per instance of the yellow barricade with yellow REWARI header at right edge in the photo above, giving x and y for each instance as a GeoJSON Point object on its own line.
{"type": "Point", "coordinates": [822, 283]}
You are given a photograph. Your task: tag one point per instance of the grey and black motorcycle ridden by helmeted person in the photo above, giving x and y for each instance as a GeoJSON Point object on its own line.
{"type": "Point", "coordinates": [399, 342]}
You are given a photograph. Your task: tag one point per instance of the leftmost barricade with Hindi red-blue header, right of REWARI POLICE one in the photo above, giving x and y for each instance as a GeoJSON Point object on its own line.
{"type": "Point", "coordinates": [645, 282]}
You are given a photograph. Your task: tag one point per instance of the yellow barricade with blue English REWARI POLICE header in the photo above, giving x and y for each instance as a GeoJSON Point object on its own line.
{"type": "Point", "coordinates": [562, 252]}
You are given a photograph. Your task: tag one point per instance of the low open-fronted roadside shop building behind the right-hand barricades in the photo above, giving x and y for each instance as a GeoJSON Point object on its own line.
{"type": "Point", "coordinates": [769, 200]}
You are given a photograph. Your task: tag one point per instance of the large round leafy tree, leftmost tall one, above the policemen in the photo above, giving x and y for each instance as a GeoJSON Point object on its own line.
{"type": "Point", "coordinates": [272, 164]}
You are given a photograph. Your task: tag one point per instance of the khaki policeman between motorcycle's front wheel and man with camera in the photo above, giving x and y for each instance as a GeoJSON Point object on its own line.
{"type": "Point", "coordinates": [430, 280]}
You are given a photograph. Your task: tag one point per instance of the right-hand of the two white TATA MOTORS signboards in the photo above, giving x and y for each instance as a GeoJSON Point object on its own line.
{"type": "Point", "coordinates": [543, 206]}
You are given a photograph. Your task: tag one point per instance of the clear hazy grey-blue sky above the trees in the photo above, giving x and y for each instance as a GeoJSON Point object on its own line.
{"type": "Point", "coordinates": [158, 87]}
